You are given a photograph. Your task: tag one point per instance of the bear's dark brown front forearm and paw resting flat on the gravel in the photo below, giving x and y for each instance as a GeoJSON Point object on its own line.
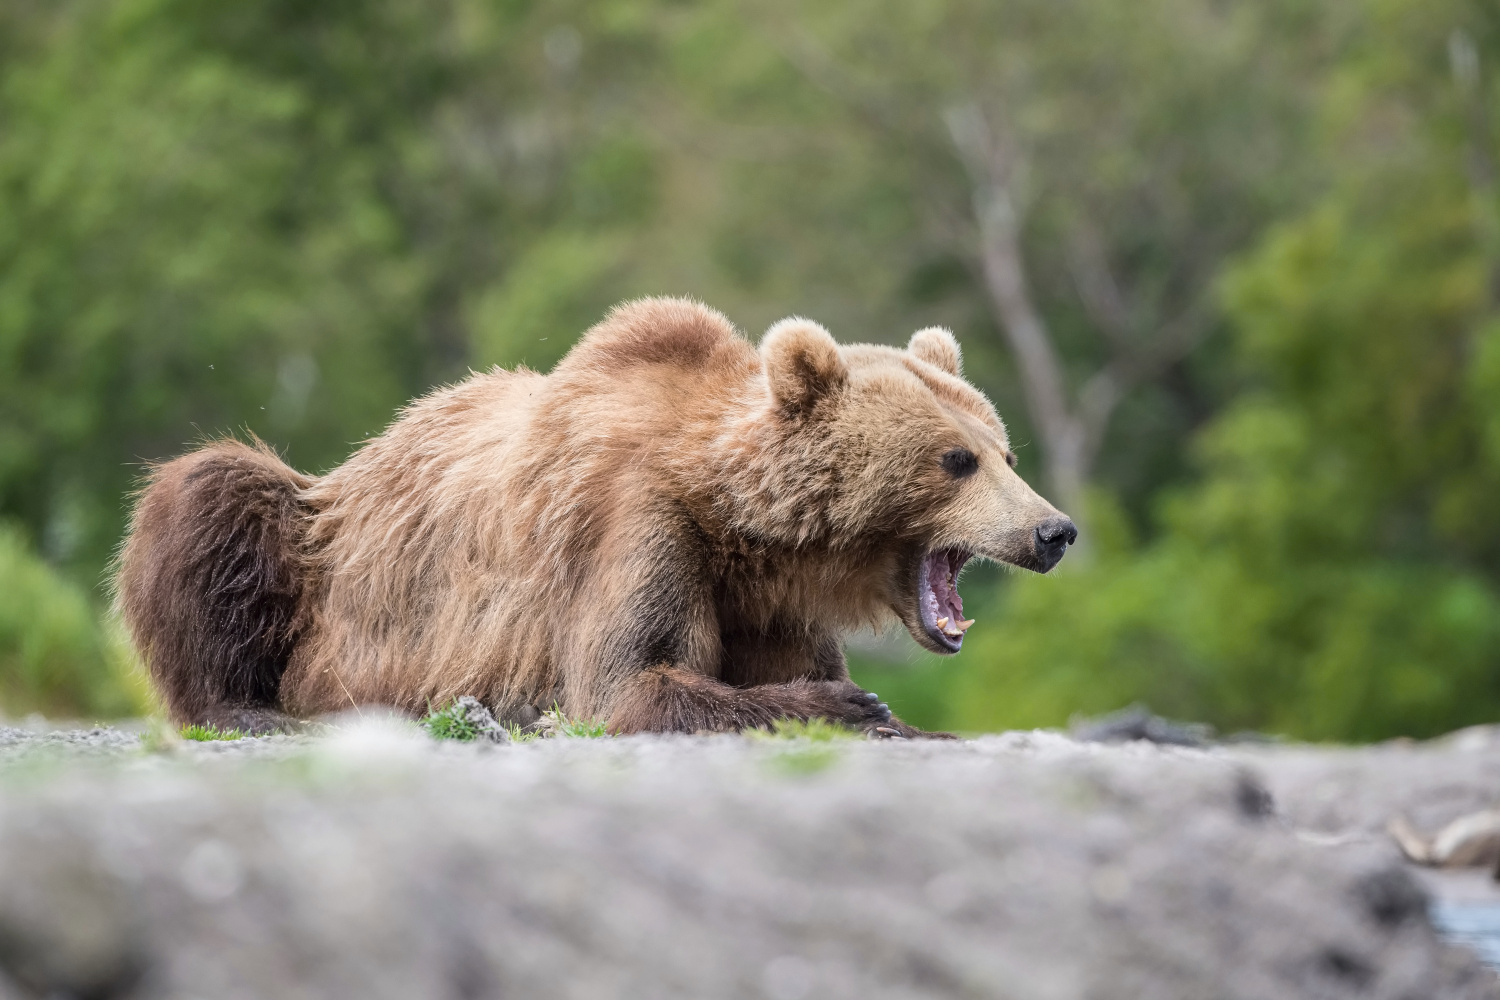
{"type": "Point", "coordinates": [668, 699]}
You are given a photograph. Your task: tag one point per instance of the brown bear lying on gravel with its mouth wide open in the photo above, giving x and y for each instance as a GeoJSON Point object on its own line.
{"type": "Point", "coordinates": [671, 531]}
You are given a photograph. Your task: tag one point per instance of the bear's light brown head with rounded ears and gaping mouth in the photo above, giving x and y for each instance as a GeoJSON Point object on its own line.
{"type": "Point", "coordinates": [895, 455]}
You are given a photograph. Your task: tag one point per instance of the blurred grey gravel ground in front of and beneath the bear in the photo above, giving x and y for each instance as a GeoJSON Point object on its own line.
{"type": "Point", "coordinates": [374, 863]}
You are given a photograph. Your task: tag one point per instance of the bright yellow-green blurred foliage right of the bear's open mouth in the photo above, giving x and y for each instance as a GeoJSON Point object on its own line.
{"type": "Point", "coordinates": [1337, 570]}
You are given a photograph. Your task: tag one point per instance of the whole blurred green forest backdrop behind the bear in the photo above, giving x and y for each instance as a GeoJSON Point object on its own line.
{"type": "Point", "coordinates": [1229, 271]}
